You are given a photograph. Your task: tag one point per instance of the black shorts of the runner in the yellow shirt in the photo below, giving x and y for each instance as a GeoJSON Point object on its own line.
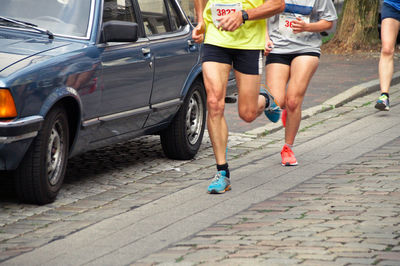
{"type": "Point", "coordinates": [245, 61]}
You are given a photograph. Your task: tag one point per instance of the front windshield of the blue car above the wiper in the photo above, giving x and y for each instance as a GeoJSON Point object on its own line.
{"type": "Point", "coordinates": [61, 17]}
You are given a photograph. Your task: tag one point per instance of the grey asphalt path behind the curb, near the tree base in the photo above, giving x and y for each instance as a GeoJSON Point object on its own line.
{"type": "Point", "coordinates": [335, 75]}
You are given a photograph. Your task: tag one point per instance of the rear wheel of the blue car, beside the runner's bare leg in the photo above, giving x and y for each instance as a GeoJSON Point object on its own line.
{"type": "Point", "coordinates": [182, 139]}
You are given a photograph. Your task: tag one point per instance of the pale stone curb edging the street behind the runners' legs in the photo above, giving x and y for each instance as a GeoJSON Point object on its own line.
{"type": "Point", "coordinates": [334, 102]}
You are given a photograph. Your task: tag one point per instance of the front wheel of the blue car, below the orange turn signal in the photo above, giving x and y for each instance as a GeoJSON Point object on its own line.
{"type": "Point", "coordinates": [40, 175]}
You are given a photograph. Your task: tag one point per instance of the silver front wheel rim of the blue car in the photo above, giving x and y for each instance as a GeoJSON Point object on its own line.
{"type": "Point", "coordinates": [54, 154]}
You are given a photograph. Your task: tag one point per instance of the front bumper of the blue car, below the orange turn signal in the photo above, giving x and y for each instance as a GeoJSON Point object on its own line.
{"type": "Point", "coordinates": [15, 138]}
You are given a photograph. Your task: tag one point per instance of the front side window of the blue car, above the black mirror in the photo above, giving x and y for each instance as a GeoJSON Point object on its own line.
{"type": "Point", "coordinates": [121, 10]}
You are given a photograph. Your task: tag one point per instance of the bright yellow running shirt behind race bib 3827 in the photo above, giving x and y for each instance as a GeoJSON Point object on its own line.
{"type": "Point", "coordinates": [250, 36]}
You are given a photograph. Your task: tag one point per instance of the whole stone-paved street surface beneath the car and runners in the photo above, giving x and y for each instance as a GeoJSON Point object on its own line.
{"type": "Point", "coordinates": [128, 204]}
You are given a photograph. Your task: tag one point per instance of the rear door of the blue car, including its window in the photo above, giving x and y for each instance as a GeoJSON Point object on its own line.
{"type": "Point", "coordinates": [174, 53]}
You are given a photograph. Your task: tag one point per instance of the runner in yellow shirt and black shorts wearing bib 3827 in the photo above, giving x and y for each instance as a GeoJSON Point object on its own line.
{"type": "Point", "coordinates": [235, 37]}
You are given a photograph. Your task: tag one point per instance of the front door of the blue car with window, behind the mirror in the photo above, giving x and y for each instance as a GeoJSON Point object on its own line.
{"type": "Point", "coordinates": [127, 76]}
